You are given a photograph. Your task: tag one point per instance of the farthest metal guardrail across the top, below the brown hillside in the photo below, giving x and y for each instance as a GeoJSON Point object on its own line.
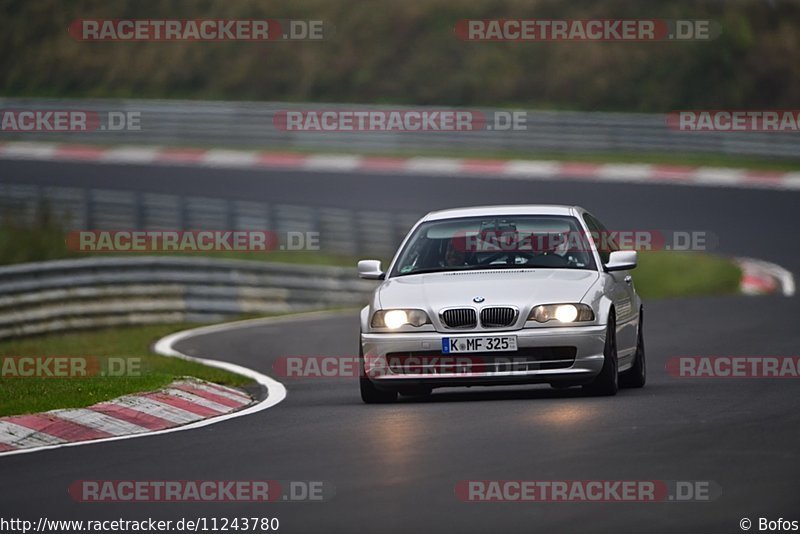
{"type": "Point", "coordinates": [250, 124]}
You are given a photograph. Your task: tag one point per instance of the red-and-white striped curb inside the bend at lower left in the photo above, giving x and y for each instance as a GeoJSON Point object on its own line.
{"type": "Point", "coordinates": [182, 402]}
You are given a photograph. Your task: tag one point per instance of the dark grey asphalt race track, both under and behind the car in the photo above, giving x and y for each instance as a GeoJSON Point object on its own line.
{"type": "Point", "coordinates": [395, 467]}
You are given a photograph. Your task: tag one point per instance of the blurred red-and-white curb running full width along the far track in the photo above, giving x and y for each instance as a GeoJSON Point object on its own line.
{"type": "Point", "coordinates": [462, 167]}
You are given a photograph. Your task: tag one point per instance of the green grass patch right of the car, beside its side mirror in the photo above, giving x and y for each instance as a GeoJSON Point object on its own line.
{"type": "Point", "coordinates": [683, 274]}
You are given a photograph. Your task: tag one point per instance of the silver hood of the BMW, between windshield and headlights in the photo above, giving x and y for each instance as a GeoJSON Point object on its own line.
{"type": "Point", "coordinates": [523, 288]}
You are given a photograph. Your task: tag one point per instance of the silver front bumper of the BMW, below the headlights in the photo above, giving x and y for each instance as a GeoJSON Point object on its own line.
{"type": "Point", "coordinates": [431, 368]}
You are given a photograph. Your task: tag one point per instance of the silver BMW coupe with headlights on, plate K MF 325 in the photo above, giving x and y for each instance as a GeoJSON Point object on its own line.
{"type": "Point", "coordinates": [502, 295]}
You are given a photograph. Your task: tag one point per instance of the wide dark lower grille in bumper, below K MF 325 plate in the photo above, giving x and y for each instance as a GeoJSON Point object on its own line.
{"type": "Point", "coordinates": [524, 359]}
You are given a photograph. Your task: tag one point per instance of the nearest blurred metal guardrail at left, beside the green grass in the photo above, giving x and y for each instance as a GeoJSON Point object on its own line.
{"type": "Point", "coordinates": [37, 298]}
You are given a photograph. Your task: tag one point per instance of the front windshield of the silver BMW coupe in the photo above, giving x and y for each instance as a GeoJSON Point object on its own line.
{"type": "Point", "coordinates": [524, 241]}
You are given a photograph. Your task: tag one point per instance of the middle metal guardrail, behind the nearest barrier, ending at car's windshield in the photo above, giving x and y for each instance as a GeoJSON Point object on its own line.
{"type": "Point", "coordinates": [341, 231]}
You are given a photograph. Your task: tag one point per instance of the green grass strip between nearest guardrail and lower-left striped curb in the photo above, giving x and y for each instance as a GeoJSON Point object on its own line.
{"type": "Point", "coordinates": [20, 395]}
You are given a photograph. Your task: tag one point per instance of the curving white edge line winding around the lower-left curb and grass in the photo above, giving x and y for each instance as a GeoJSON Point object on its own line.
{"type": "Point", "coordinates": [165, 347]}
